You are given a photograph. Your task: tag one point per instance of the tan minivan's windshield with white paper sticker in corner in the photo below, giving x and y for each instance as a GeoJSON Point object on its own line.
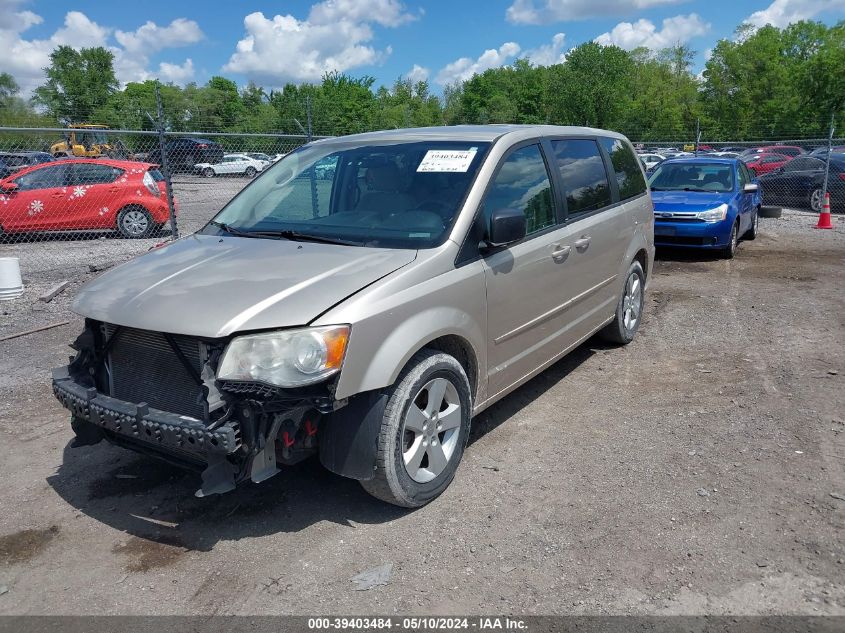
{"type": "Point", "coordinates": [392, 194]}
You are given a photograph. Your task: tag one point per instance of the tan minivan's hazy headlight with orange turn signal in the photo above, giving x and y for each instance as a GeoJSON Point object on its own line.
{"type": "Point", "coordinates": [287, 358]}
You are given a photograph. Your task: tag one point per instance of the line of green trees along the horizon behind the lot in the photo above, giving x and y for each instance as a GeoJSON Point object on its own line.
{"type": "Point", "coordinates": [763, 83]}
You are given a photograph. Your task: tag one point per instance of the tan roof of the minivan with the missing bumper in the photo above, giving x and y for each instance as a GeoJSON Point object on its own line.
{"type": "Point", "coordinates": [480, 133]}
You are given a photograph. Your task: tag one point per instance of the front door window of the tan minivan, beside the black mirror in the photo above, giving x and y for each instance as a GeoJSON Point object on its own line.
{"type": "Point", "coordinates": [523, 183]}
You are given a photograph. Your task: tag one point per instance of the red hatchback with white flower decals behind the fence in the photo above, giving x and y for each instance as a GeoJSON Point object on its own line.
{"type": "Point", "coordinates": [84, 194]}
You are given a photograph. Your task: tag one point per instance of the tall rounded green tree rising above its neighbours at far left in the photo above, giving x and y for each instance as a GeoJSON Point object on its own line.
{"type": "Point", "coordinates": [78, 83]}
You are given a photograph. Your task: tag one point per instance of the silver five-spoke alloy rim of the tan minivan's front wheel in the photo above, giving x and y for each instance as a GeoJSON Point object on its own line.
{"type": "Point", "coordinates": [431, 429]}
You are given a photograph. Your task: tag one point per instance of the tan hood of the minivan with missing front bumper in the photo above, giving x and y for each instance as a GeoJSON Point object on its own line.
{"type": "Point", "coordinates": [212, 286]}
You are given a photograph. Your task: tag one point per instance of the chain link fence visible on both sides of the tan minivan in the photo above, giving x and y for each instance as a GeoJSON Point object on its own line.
{"type": "Point", "coordinates": [78, 200]}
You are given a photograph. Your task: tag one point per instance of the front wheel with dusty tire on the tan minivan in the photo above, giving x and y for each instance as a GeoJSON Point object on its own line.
{"type": "Point", "coordinates": [430, 467]}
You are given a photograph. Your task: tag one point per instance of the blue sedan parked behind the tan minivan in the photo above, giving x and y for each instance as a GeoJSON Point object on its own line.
{"type": "Point", "coordinates": [705, 202]}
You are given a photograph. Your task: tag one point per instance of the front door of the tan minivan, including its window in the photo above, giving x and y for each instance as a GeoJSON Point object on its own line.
{"type": "Point", "coordinates": [529, 284]}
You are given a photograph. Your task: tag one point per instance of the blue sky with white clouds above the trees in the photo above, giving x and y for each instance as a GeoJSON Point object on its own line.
{"type": "Point", "coordinates": [273, 43]}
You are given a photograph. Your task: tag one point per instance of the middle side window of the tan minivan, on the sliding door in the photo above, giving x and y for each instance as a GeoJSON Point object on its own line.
{"type": "Point", "coordinates": [584, 177]}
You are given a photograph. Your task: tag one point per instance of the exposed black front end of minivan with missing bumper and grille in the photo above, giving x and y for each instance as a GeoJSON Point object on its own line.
{"type": "Point", "coordinates": [157, 393]}
